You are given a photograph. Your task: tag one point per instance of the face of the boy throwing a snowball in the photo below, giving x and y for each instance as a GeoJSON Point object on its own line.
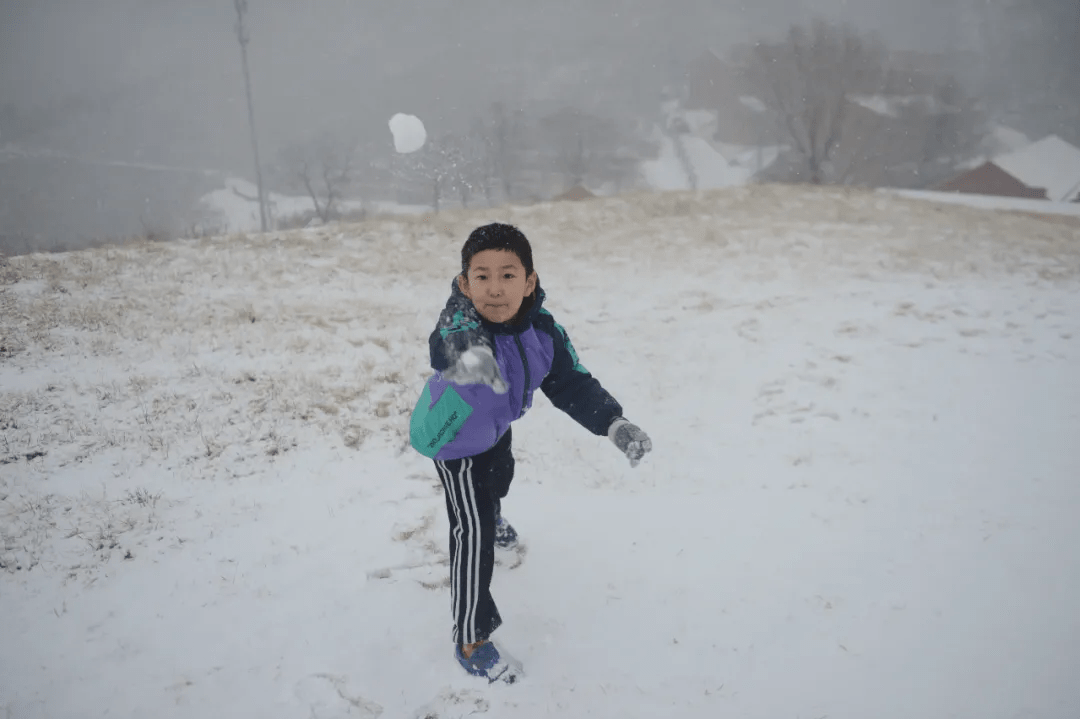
{"type": "Point", "coordinates": [497, 284]}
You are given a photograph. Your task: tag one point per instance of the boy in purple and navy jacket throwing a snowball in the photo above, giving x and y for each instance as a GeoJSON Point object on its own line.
{"type": "Point", "coordinates": [494, 348]}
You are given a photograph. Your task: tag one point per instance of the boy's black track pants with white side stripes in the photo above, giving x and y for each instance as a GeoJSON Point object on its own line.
{"type": "Point", "coordinates": [475, 487]}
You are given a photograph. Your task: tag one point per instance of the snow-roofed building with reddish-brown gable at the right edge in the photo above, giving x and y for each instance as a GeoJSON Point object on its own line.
{"type": "Point", "coordinates": [1046, 170]}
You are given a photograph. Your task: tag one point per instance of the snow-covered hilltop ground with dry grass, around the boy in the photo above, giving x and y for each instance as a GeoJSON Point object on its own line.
{"type": "Point", "coordinates": [862, 500]}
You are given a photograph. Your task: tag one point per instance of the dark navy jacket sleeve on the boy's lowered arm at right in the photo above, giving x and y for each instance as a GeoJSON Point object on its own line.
{"type": "Point", "coordinates": [572, 388]}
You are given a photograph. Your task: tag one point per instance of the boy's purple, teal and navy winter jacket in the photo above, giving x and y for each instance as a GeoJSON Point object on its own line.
{"type": "Point", "coordinates": [452, 422]}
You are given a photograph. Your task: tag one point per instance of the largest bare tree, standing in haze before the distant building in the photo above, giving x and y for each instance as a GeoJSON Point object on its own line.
{"type": "Point", "coordinates": [808, 82]}
